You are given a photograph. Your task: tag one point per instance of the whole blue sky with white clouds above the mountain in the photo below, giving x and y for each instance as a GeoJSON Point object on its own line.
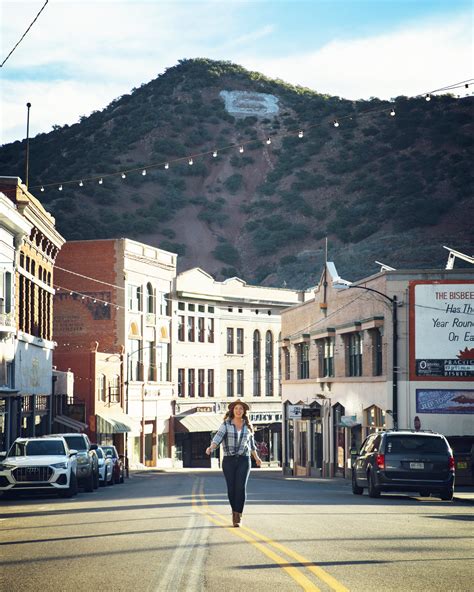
{"type": "Point", "coordinates": [80, 55]}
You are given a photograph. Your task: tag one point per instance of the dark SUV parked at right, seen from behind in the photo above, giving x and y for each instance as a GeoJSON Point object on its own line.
{"type": "Point", "coordinates": [404, 461]}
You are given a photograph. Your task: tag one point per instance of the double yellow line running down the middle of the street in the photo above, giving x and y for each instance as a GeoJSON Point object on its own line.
{"type": "Point", "coordinates": [266, 546]}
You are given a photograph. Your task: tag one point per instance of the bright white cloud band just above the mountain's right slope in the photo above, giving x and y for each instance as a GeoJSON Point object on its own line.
{"type": "Point", "coordinates": [407, 61]}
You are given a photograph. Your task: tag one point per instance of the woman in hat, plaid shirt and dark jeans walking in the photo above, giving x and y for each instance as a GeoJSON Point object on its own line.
{"type": "Point", "coordinates": [236, 435]}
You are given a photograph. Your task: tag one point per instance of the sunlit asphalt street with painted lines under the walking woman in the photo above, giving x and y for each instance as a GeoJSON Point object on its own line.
{"type": "Point", "coordinates": [171, 532]}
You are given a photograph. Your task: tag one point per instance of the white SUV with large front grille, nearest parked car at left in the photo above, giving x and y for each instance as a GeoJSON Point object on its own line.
{"type": "Point", "coordinates": [39, 464]}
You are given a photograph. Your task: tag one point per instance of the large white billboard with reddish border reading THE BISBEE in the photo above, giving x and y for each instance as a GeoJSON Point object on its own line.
{"type": "Point", "coordinates": [441, 330]}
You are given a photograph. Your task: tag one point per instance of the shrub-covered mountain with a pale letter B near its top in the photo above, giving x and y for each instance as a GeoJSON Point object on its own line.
{"type": "Point", "coordinates": [380, 187]}
